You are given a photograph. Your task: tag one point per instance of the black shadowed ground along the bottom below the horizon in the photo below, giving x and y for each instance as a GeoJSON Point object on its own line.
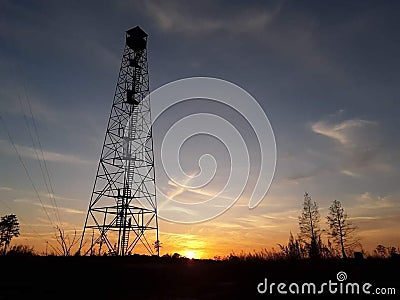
{"type": "Point", "coordinates": [165, 278]}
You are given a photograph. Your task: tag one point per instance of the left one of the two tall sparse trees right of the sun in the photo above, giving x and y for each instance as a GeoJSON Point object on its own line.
{"type": "Point", "coordinates": [310, 233]}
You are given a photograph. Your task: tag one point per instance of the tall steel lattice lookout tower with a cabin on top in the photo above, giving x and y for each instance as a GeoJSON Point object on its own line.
{"type": "Point", "coordinates": [122, 211]}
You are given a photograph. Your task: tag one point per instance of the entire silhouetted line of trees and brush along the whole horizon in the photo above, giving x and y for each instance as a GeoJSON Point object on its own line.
{"type": "Point", "coordinates": [338, 239]}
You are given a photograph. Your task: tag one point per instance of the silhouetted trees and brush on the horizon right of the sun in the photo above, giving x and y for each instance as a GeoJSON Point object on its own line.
{"type": "Point", "coordinates": [338, 239]}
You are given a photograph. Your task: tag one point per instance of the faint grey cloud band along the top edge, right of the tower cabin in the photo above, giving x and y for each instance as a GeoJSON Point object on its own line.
{"type": "Point", "coordinates": [264, 23]}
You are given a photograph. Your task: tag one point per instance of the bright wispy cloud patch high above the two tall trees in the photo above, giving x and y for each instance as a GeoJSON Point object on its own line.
{"type": "Point", "coordinates": [357, 149]}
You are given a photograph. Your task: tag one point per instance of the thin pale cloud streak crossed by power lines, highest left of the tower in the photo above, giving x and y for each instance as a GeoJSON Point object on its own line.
{"type": "Point", "coordinates": [29, 152]}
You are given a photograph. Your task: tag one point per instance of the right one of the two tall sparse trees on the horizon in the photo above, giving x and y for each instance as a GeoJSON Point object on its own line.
{"type": "Point", "coordinates": [340, 228]}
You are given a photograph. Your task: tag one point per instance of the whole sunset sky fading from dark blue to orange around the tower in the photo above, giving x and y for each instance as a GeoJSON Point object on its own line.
{"type": "Point", "coordinates": [326, 73]}
